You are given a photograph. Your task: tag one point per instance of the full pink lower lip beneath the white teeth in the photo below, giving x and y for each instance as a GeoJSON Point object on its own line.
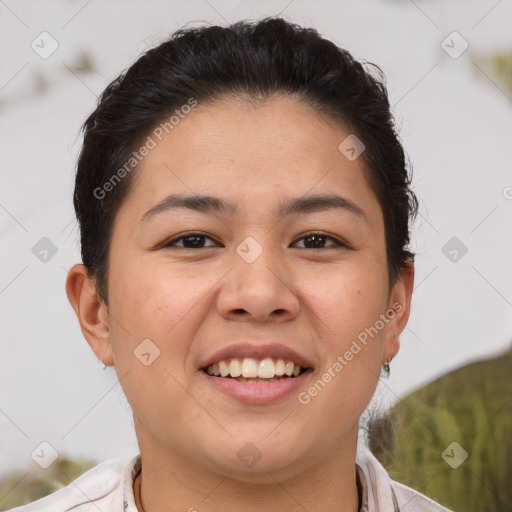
{"type": "Point", "coordinates": [257, 392]}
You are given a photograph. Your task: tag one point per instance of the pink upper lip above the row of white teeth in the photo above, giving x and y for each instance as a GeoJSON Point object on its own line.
{"type": "Point", "coordinates": [257, 351]}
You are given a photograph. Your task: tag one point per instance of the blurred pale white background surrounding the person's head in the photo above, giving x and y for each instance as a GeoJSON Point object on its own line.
{"type": "Point", "coordinates": [455, 123]}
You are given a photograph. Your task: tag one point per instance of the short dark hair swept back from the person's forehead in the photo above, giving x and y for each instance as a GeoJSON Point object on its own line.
{"type": "Point", "coordinates": [254, 60]}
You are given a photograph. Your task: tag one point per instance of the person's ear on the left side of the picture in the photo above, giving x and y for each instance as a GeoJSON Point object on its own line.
{"type": "Point", "coordinates": [91, 312]}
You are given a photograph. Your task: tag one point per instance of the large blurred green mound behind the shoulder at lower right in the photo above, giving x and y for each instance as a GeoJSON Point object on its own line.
{"type": "Point", "coordinates": [471, 406]}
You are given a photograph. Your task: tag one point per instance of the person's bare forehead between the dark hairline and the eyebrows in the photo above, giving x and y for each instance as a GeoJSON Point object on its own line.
{"type": "Point", "coordinates": [249, 153]}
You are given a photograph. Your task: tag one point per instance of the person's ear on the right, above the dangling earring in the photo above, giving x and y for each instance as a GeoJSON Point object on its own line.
{"type": "Point", "coordinates": [399, 302]}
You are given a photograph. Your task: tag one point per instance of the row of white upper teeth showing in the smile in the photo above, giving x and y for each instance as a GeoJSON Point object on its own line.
{"type": "Point", "coordinates": [251, 368]}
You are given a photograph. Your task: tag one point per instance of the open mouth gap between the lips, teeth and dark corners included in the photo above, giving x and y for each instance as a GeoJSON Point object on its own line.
{"type": "Point", "coordinates": [249, 369]}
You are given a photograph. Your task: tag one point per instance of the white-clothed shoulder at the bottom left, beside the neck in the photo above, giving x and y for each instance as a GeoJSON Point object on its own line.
{"type": "Point", "coordinates": [100, 488]}
